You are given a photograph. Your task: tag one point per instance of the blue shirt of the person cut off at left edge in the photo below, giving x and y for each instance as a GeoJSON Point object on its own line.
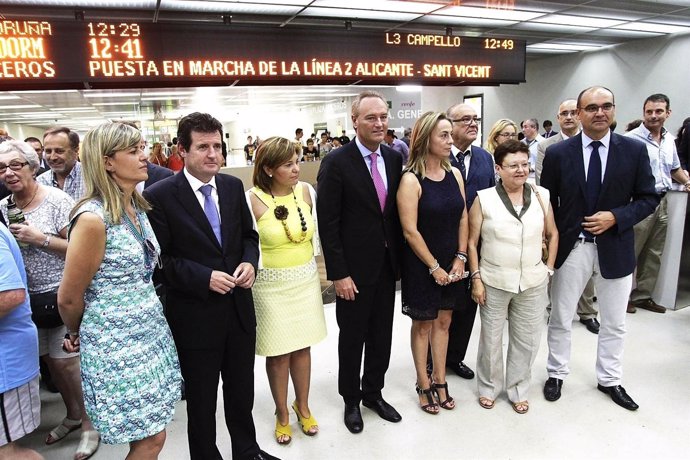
{"type": "Point", "coordinates": [18, 335]}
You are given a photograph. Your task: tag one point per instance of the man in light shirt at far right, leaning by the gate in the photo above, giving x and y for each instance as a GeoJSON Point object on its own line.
{"type": "Point", "coordinates": [650, 234]}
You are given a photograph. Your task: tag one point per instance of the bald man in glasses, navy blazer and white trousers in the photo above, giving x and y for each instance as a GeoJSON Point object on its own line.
{"type": "Point", "coordinates": [601, 185]}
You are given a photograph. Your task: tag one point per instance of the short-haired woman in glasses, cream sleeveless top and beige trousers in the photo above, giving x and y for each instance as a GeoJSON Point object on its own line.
{"type": "Point", "coordinates": [510, 281]}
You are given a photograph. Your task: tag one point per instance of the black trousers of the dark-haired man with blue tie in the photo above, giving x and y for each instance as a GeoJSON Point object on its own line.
{"type": "Point", "coordinates": [234, 362]}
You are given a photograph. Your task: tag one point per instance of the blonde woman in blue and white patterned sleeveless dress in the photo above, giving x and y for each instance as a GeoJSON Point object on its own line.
{"type": "Point", "coordinates": [130, 372]}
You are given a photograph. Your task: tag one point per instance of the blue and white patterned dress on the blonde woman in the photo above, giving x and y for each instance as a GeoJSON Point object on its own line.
{"type": "Point", "coordinates": [129, 367]}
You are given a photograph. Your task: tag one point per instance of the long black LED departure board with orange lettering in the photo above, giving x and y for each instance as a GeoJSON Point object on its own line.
{"type": "Point", "coordinates": [45, 54]}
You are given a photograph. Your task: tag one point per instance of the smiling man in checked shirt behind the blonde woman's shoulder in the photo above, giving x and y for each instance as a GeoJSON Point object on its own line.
{"type": "Point", "coordinates": [61, 152]}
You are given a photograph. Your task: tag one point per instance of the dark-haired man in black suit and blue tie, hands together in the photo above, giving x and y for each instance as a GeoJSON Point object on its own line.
{"type": "Point", "coordinates": [209, 251]}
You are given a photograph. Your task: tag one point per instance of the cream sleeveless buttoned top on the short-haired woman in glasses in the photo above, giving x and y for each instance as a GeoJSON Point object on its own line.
{"type": "Point", "coordinates": [511, 247]}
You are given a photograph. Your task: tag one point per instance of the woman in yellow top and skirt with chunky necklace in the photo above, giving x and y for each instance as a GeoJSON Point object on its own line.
{"type": "Point", "coordinates": [287, 292]}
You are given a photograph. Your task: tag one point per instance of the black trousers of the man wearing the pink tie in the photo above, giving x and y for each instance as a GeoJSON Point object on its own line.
{"type": "Point", "coordinates": [366, 324]}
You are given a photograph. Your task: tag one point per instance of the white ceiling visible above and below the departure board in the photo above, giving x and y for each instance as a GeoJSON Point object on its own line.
{"type": "Point", "coordinates": [556, 27]}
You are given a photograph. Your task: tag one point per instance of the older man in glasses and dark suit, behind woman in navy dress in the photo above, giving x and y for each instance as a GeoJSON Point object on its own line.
{"type": "Point", "coordinates": [477, 168]}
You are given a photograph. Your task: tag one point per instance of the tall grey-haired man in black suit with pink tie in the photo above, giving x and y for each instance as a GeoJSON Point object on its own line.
{"type": "Point", "coordinates": [361, 240]}
